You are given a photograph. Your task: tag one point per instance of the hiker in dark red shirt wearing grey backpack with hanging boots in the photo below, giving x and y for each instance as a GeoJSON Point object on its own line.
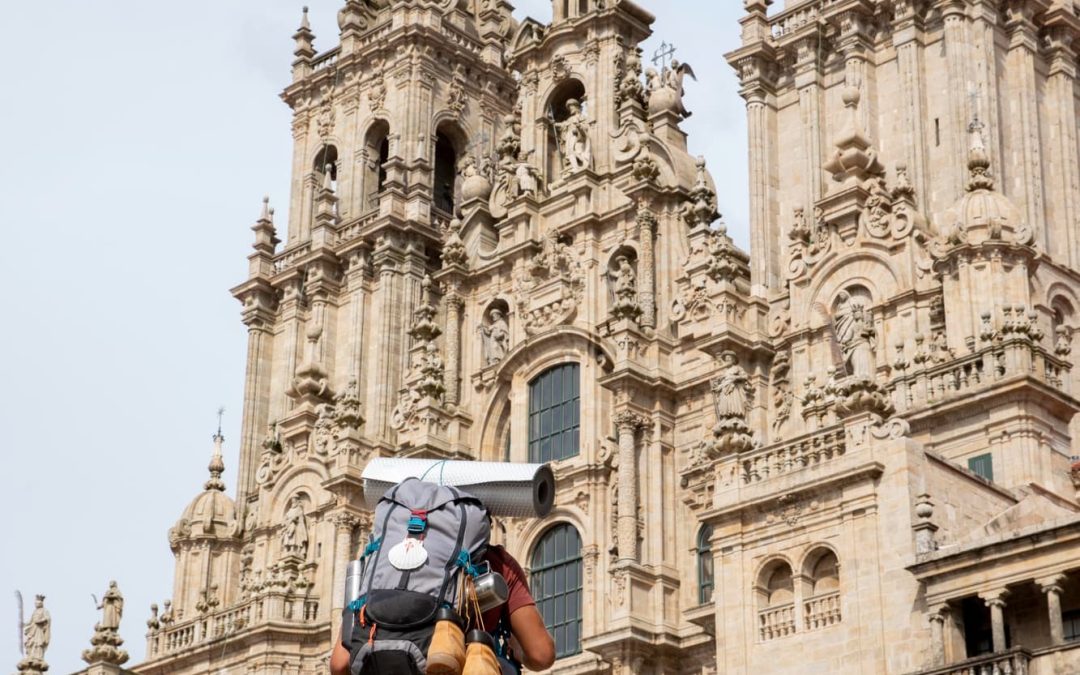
{"type": "Point", "coordinates": [435, 598]}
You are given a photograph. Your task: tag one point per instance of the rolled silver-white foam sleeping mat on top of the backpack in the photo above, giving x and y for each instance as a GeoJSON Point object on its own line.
{"type": "Point", "coordinates": [507, 490]}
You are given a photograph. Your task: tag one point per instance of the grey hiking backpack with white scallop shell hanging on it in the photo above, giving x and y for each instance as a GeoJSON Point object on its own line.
{"type": "Point", "coordinates": [426, 536]}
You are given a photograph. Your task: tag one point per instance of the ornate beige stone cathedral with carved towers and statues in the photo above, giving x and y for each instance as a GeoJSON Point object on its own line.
{"type": "Point", "coordinates": [846, 453]}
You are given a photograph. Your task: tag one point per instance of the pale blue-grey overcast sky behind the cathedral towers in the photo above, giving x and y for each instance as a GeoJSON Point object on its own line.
{"type": "Point", "coordinates": [137, 142]}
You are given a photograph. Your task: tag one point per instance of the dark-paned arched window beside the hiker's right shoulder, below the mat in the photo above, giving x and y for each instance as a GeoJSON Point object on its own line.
{"type": "Point", "coordinates": [557, 584]}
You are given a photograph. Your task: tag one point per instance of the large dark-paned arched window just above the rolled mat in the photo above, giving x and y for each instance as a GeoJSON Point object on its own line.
{"type": "Point", "coordinates": [555, 414]}
